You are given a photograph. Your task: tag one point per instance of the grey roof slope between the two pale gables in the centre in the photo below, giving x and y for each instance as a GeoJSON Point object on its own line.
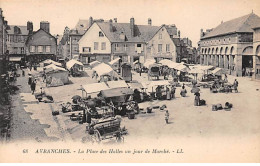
{"type": "Point", "coordinates": [143, 33]}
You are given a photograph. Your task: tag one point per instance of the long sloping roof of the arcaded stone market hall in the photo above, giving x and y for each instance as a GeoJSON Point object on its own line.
{"type": "Point", "coordinates": [241, 24]}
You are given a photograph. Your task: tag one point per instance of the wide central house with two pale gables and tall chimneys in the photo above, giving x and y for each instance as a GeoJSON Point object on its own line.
{"type": "Point", "coordinates": [105, 41]}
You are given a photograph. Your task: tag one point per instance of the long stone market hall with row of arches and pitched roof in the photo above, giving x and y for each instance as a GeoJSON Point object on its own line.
{"type": "Point", "coordinates": [230, 45]}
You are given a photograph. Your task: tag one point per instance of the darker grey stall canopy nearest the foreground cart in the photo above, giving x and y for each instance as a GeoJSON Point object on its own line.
{"type": "Point", "coordinates": [115, 92]}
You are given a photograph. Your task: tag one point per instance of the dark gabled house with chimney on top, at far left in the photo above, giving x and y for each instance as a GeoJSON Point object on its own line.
{"type": "Point", "coordinates": [41, 45]}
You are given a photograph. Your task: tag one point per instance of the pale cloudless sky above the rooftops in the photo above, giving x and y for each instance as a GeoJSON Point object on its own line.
{"type": "Point", "coordinates": [188, 15]}
